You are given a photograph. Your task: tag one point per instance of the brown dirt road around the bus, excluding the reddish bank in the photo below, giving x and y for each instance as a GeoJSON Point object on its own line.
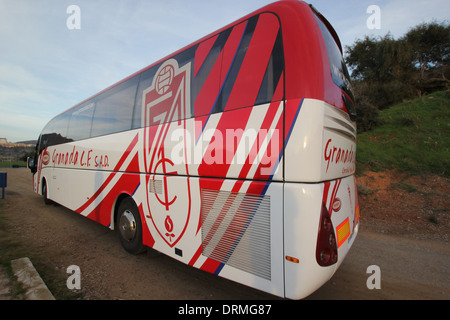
{"type": "Point", "coordinates": [58, 238]}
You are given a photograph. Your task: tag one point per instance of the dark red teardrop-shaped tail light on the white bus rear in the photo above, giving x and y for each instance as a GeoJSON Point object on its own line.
{"type": "Point", "coordinates": [326, 250]}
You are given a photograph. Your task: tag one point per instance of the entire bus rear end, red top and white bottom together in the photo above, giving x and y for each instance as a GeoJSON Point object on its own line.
{"type": "Point", "coordinates": [321, 210]}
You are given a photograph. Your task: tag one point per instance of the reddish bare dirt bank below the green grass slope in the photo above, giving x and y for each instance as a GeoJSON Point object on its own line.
{"type": "Point", "coordinates": [416, 207]}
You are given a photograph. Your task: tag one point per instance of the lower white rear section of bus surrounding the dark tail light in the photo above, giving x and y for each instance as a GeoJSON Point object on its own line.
{"type": "Point", "coordinates": [302, 204]}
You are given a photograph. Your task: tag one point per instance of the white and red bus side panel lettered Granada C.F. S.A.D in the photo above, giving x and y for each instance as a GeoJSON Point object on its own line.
{"type": "Point", "coordinates": [89, 179]}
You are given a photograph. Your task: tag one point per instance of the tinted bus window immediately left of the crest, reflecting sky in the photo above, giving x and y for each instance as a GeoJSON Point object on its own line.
{"type": "Point", "coordinates": [114, 109]}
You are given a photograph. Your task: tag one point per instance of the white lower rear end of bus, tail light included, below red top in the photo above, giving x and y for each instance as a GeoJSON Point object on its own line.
{"type": "Point", "coordinates": [321, 210]}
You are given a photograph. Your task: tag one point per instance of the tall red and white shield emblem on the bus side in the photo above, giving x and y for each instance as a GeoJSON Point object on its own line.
{"type": "Point", "coordinates": [166, 105]}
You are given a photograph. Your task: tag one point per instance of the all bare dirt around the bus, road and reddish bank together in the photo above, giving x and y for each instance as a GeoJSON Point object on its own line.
{"type": "Point", "coordinates": [405, 230]}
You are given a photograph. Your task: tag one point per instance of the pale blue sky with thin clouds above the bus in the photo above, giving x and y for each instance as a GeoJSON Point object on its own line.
{"type": "Point", "coordinates": [54, 55]}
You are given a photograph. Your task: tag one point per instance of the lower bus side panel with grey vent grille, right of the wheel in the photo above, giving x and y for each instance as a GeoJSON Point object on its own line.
{"type": "Point", "coordinates": [230, 228]}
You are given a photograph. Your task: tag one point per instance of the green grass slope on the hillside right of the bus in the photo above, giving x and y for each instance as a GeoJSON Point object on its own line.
{"type": "Point", "coordinates": [414, 137]}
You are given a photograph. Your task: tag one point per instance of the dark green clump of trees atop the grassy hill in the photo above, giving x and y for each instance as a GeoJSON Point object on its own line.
{"type": "Point", "coordinates": [388, 71]}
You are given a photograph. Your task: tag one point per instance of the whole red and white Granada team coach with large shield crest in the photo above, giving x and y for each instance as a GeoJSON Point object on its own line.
{"type": "Point", "coordinates": [234, 155]}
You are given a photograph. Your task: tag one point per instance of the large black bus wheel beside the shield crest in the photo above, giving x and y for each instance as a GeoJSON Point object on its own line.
{"type": "Point", "coordinates": [130, 227]}
